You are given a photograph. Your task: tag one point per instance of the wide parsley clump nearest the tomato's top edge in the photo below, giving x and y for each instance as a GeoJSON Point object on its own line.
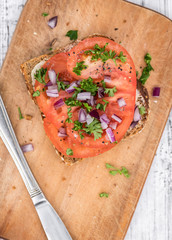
{"type": "Point", "coordinates": [100, 53]}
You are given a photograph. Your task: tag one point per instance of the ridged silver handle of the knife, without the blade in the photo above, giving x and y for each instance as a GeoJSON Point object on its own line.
{"type": "Point", "coordinates": [8, 136]}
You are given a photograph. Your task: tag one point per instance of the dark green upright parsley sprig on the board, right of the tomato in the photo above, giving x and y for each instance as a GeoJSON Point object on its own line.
{"type": "Point", "coordinates": [147, 69]}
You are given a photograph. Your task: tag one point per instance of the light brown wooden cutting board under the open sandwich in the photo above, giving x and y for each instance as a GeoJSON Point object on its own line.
{"type": "Point", "coordinates": [74, 191]}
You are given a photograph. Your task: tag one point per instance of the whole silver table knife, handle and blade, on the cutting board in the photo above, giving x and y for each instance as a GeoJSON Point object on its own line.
{"type": "Point", "coordinates": [51, 222]}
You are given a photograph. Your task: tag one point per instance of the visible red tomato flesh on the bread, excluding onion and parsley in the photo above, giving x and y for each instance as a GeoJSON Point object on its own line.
{"type": "Point", "coordinates": [123, 77]}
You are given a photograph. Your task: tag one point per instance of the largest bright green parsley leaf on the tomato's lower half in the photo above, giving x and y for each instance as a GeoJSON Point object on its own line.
{"type": "Point", "coordinates": [95, 128]}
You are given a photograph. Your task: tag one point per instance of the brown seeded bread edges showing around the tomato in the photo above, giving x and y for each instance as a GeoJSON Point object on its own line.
{"type": "Point", "coordinates": [143, 99]}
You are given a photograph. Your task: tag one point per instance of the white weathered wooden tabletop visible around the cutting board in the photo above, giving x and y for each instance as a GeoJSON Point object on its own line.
{"type": "Point", "coordinates": [152, 219]}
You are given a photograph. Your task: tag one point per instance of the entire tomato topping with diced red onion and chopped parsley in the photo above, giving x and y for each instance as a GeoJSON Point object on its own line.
{"type": "Point", "coordinates": [87, 96]}
